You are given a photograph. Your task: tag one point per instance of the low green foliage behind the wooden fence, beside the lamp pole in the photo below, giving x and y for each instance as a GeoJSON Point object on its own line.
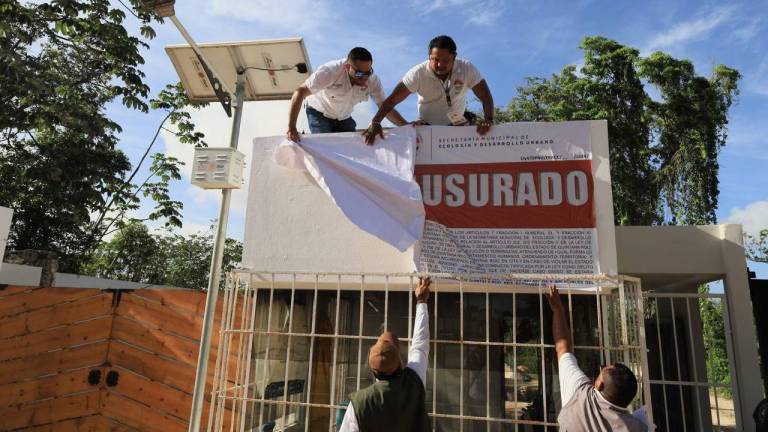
{"type": "Point", "coordinates": [137, 255]}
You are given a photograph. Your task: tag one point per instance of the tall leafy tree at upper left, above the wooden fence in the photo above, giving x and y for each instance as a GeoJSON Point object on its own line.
{"type": "Point", "coordinates": [61, 63]}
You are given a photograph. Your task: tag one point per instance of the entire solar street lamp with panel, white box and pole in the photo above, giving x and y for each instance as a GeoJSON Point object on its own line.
{"type": "Point", "coordinates": [259, 70]}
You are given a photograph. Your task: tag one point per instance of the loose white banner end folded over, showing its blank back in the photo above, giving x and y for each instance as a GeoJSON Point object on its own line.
{"type": "Point", "coordinates": [372, 185]}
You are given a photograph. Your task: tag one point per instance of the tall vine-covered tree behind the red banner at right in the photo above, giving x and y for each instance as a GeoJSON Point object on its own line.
{"type": "Point", "coordinates": [663, 152]}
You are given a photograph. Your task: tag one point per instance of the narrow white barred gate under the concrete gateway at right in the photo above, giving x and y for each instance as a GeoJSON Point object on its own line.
{"type": "Point", "coordinates": [689, 359]}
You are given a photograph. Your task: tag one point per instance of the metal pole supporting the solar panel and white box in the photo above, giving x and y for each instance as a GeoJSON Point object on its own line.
{"type": "Point", "coordinates": [215, 273]}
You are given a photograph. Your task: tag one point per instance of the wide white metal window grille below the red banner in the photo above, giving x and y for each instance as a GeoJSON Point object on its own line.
{"type": "Point", "coordinates": [296, 346]}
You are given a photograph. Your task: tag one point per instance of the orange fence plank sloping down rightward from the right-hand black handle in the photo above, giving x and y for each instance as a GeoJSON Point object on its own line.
{"type": "Point", "coordinates": [160, 397]}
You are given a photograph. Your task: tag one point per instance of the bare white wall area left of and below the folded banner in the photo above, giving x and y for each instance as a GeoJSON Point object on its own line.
{"type": "Point", "coordinates": [292, 225]}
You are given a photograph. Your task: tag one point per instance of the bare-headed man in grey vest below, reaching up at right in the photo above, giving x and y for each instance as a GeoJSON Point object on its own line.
{"type": "Point", "coordinates": [601, 406]}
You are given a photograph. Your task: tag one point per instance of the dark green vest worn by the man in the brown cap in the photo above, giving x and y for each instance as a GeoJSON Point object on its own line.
{"type": "Point", "coordinates": [395, 404]}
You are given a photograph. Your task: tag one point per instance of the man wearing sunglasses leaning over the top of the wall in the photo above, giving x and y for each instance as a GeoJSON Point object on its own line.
{"type": "Point", "coordinates": [332, 93]}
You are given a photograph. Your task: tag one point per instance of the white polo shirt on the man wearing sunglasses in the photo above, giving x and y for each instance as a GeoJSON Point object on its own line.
{"type": "Point", "coordinates": [333, 93]}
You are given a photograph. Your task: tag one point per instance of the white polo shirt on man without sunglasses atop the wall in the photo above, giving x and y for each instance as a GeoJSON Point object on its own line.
{"type": "Point", "coordinates": [433, 103]}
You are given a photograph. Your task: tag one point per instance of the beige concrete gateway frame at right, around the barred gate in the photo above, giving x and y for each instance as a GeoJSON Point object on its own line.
{"type": "Point", "coordinates": [675, 258]}
